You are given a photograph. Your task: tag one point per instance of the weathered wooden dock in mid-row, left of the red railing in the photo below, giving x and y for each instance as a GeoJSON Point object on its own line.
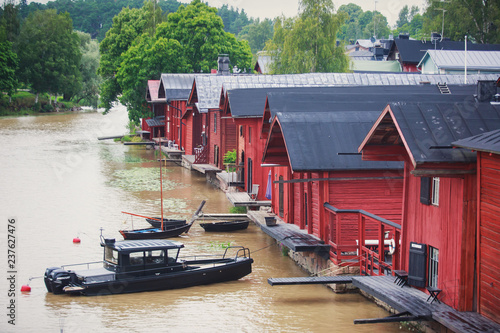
{"type": "Point", "coordinates": [291, 236]}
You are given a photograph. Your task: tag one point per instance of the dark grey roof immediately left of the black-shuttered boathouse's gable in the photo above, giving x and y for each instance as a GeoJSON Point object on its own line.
{"type": "Point", "coordinates": [315, 139]}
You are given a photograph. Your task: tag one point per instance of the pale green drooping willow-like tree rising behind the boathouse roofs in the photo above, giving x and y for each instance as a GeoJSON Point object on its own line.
{"type": "Point", "coordinates": [307, 43]}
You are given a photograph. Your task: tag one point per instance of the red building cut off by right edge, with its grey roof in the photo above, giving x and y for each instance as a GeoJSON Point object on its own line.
{"type": "Point", "coordinates": [487, 146]}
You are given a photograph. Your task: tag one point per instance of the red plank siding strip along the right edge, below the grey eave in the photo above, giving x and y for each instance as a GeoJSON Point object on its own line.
{"type": "Point", "coordinates": [489, 237]}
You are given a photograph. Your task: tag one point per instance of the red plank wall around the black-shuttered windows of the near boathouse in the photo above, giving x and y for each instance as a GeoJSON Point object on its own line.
{"type": "Point", "coordinates": [448, 227]}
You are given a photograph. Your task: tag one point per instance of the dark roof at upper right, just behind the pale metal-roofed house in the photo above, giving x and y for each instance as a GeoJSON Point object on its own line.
{"type": "Point", "coordinates": [412, 51]}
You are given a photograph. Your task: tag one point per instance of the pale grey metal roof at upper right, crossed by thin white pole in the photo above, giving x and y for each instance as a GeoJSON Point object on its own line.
{"type": "Point", "coordinates": [476, 60]}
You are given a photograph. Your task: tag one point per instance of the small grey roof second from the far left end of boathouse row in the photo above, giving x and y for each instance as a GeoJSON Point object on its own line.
{"type": "Point", "coordinates": [176, 86]}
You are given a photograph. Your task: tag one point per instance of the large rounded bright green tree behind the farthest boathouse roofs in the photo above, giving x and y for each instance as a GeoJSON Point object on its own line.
{"type": "Point", "coordinates": [201, 33]}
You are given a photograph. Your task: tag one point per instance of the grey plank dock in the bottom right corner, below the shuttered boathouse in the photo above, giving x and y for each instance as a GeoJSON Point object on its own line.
{"type": "Point", "coordinates": [414, 302]}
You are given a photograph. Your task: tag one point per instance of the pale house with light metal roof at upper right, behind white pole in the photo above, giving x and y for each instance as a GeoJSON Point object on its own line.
{"type": "Point", "coordinates": [457, 62]}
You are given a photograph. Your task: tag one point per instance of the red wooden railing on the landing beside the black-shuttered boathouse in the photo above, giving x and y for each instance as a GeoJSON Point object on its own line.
{"type": "Point", "coordinates": [359, 235]}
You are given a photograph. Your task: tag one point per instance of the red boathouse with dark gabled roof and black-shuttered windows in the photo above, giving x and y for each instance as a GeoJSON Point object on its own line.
{"type": "Point", "coordinates": [440, 190]}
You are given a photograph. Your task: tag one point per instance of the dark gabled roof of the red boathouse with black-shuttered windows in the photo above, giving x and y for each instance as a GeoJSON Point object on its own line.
{"type": "Point", "coordinates": [427, 130]}
